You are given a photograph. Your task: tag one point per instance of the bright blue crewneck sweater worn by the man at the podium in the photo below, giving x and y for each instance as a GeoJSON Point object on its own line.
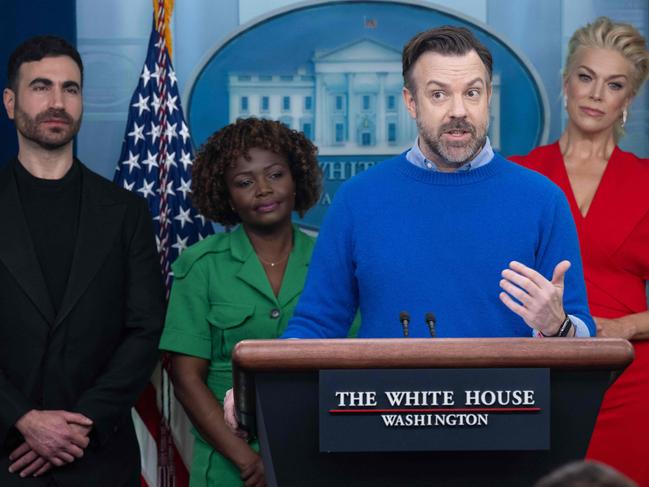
{"type": "Point", "coordinates": [398, 237]}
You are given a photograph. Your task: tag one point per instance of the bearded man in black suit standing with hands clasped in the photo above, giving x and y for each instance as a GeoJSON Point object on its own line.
{"type": "Point", "coordinates": [81, 299]}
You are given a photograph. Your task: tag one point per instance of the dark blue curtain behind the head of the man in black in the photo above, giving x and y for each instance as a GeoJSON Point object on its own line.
{"type": "Point", "coordinates": [19, 21]}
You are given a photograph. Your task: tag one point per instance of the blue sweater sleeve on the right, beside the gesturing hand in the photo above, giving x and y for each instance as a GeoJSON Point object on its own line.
{"type": "Point", "coordinates": [559, 241]}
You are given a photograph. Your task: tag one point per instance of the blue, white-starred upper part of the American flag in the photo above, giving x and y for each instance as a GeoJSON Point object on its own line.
{"type": "Point", "coordinates": [157, 156]}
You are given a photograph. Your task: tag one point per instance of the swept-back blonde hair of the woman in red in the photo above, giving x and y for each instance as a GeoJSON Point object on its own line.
{"type": "Point", "coordinates": [604, 33]}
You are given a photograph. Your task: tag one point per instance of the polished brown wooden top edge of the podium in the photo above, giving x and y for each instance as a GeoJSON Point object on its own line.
{"type": "Point", "coordinates": [357, 353]}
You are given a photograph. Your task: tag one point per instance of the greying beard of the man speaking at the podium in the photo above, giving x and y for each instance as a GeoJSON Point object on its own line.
{"type": "Point", "coordinates": [454, 154]}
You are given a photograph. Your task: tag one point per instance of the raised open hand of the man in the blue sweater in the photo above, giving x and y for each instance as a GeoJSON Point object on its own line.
{"type": "Point", "coordinates": [532, 297]}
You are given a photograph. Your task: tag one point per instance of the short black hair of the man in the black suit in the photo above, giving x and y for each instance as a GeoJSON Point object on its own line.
{"type": "Point", "coordinates": [37, 48]}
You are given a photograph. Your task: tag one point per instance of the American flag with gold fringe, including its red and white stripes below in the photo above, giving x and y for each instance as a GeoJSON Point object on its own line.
{"type": "Point", "coordinates": [156, 162]}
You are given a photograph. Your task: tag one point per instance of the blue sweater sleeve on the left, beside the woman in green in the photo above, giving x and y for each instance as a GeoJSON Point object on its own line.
{"type": "Point", "coordinates": [329, 300]}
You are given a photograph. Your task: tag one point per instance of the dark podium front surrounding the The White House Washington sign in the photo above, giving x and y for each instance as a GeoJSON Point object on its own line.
{"type": "Point", "coordinates": [288, 432]}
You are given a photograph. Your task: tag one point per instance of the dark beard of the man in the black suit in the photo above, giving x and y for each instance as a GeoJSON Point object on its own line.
{"type": "Point", "coordinates": [49, 139]}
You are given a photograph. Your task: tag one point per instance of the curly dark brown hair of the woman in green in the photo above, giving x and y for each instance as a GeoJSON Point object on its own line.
{"type": "Point", "coordinates": [221, 150]}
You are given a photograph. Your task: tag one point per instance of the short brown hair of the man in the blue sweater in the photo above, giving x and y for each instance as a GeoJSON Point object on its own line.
{"type": "Point", "coordinates": [448, 40]}
